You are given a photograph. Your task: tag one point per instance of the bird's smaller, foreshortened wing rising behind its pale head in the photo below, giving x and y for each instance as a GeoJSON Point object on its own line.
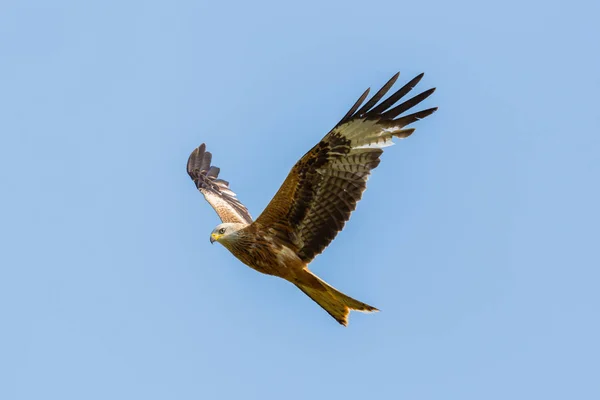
{"type": "Point", "coordinates": [215, 191]}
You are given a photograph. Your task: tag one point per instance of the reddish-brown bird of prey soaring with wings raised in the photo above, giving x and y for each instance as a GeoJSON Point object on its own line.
{"type": "Point", "coordinates": [315, 200]}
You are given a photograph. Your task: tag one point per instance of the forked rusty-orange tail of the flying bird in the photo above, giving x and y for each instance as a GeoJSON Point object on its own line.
{"type": "Point", "coordinates": [336, 303]}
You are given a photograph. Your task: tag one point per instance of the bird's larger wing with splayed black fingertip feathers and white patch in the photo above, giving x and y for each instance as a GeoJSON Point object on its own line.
{"type": "Point", "coordinates": [322, 189]}
